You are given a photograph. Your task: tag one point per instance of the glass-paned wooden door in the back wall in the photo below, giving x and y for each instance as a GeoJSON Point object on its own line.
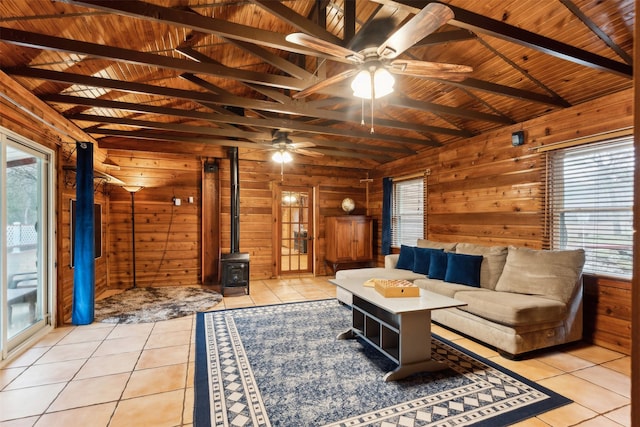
{"type": "Point", "coordinates": [296, 233]}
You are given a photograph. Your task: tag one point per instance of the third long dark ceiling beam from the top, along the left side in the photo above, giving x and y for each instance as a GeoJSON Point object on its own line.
{"type": "Point", "coordinates": [291, 108]}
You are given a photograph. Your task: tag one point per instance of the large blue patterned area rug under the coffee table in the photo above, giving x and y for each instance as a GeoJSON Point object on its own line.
{"type": "Point", "coordinates": [282, 365]}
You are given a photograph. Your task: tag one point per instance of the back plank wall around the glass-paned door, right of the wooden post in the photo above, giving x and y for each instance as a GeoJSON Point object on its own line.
{"type": "Point", "coordinates": [259, 182]}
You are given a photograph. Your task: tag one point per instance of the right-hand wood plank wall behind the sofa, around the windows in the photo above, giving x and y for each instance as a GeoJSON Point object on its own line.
{"type": "Point", "coordinates": [484, 190]}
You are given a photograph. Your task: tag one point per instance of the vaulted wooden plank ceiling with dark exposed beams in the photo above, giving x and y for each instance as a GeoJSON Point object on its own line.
{"type": "Point", "coordinates": [191, 76]}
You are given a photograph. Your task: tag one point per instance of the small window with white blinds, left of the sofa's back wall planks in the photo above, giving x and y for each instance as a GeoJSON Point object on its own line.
{"type": "Point", "coordinates": [407, 216]}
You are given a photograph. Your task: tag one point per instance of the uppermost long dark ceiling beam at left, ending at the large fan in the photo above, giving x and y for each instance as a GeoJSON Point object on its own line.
{"type": "Point", "coordinates": [187, 19]}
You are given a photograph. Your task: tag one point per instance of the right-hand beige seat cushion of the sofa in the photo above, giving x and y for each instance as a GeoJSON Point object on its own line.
{"type": "Point", "coordinates": [512, 309]}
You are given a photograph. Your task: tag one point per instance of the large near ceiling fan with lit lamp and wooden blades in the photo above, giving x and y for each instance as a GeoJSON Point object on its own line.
{"type": "Point", "coordinates": [377, 63]}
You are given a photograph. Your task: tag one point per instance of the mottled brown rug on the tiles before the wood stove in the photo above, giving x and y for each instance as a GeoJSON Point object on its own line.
{"type": "Point", "coordinates": [144, 305]}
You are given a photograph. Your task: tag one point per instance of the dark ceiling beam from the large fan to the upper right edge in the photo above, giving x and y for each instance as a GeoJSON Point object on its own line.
{"type": "Point", "coordinates": [492, 27]}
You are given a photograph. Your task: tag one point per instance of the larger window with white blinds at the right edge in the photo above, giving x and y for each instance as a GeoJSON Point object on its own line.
{"type": "Point", "coordinates": [591, 204]}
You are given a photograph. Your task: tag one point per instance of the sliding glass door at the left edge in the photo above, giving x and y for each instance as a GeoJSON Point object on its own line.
{"type": "Point", "coordinates": [26, 219]}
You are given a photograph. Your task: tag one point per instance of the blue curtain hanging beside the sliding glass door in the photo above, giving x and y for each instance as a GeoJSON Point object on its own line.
{"type": "Point", "coordinates": [84, 254]}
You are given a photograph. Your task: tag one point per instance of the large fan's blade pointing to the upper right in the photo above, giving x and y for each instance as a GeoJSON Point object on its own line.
{"type": "Point", "coordinates": [428, 20]}
